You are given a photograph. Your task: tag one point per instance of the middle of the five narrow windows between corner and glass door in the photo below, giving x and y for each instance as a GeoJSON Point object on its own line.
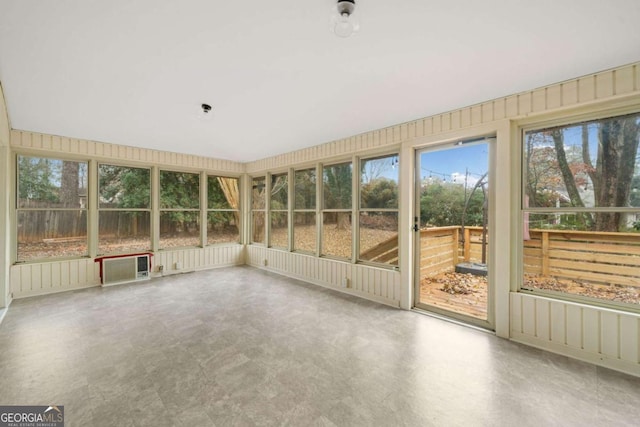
{"type": "Point", "coordinates": [304, 211]}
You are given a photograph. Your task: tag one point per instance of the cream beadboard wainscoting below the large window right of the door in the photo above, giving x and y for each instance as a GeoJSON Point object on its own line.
{"type": "Point", "coordinates": [609, 338]}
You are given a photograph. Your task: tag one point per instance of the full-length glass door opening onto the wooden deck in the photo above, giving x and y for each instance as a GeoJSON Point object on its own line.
{"type": "Point", "coordinates": [452, 211]}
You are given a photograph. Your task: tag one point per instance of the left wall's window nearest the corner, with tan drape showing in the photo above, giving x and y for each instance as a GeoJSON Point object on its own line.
{"type": "Point", "coordinates": [223, 210]}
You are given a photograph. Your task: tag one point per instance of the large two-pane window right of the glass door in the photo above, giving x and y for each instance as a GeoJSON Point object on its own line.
{"type": "Point", "coordinates": [581, 206]}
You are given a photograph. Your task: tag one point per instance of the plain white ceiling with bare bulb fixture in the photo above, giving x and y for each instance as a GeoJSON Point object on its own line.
{"type": "Point", "coordinates": [135, 72]}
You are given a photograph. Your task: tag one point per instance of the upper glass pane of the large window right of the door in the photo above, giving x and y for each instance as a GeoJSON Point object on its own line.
{"type": "Point", "coordinates": [590, 164]}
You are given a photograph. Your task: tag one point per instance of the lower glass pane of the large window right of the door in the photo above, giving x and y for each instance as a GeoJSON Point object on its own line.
{"type": "Point", "coordinates": [560, 257]}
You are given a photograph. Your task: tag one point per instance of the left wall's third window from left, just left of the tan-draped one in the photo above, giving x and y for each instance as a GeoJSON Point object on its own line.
{"type": "Point", "coordinates": [179, 209]}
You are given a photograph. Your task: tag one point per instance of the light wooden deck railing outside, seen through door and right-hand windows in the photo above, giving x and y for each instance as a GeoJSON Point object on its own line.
{"type": "Point", "coordinates": [596, 257]}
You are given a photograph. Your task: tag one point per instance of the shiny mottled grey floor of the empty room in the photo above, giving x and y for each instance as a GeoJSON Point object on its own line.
{"type": "Point", "coordinates": [240, 346]}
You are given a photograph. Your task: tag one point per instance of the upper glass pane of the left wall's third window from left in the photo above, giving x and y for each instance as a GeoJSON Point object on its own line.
{"type": "Point", "coordinates": [179, 190]}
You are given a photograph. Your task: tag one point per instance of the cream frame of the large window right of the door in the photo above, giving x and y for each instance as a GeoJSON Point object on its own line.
{"type": "Point", "coordinates": [533, 125]}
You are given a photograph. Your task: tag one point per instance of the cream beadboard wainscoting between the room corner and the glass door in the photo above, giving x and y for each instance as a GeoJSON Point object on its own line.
{"type": "Point", "coordinates": [373, 283]}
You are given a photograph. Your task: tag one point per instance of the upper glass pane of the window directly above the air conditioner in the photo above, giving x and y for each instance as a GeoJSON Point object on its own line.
{"type": "Point", "coordinates": [124, 187]}
